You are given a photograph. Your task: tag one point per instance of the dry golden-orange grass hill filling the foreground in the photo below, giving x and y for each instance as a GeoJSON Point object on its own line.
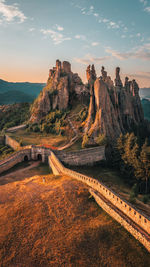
{"type": "Point", "coordinates": [56, 224]}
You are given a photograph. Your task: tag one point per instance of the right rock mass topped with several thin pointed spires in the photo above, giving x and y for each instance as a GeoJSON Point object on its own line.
{"type": "Point", "coordinates": [113, 109]}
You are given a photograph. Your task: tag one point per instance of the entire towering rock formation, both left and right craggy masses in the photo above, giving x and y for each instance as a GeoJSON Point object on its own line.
{"type": "Point", "coordinates": [113, 108]}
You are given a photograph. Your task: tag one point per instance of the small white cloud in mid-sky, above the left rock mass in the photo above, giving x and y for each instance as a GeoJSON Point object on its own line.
{"type": "Point", "coordinates": [57, 37]}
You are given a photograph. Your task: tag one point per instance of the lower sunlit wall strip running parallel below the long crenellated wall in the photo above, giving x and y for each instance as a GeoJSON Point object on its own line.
{"type": "Point", "coordinates": [121, 220]}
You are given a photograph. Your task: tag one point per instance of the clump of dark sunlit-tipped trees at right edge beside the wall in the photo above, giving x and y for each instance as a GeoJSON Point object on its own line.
{"type": "Point", "coordinates": [134, 161]}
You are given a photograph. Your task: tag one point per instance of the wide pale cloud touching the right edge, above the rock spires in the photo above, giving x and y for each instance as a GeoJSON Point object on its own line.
{"type": "Point", "coordinates": [142, 52]}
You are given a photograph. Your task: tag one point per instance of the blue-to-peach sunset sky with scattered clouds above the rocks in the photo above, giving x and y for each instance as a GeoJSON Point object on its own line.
{"type": "Point", "coordinates": [110, 33]}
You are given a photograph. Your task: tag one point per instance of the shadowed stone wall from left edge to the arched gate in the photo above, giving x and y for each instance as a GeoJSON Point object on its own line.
{"type": "Point", "coordinates": [11, 161]}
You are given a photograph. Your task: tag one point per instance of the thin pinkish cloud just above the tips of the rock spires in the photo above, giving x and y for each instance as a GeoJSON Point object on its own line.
{"type": "Point", "coordinates": [90, 59]}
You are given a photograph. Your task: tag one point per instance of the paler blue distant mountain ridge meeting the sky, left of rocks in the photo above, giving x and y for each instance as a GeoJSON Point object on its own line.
{"type": "Point", "coordinates": [32, 89]}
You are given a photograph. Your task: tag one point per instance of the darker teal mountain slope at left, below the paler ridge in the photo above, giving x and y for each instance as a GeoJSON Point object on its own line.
{"type": "Point", "coordinates": [11, 97]}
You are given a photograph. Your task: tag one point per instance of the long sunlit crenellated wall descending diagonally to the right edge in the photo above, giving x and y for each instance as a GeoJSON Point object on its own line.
{"type": "Point", "coordinates": [137, 216]}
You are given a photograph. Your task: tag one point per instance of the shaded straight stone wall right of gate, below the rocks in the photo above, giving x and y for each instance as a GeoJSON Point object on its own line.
{"type": "Point", "coordinates": [87, 156]}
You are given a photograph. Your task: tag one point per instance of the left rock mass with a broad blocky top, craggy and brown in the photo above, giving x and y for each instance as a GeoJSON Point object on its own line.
{"type": "Point", "coordinates": [62, 86]}
